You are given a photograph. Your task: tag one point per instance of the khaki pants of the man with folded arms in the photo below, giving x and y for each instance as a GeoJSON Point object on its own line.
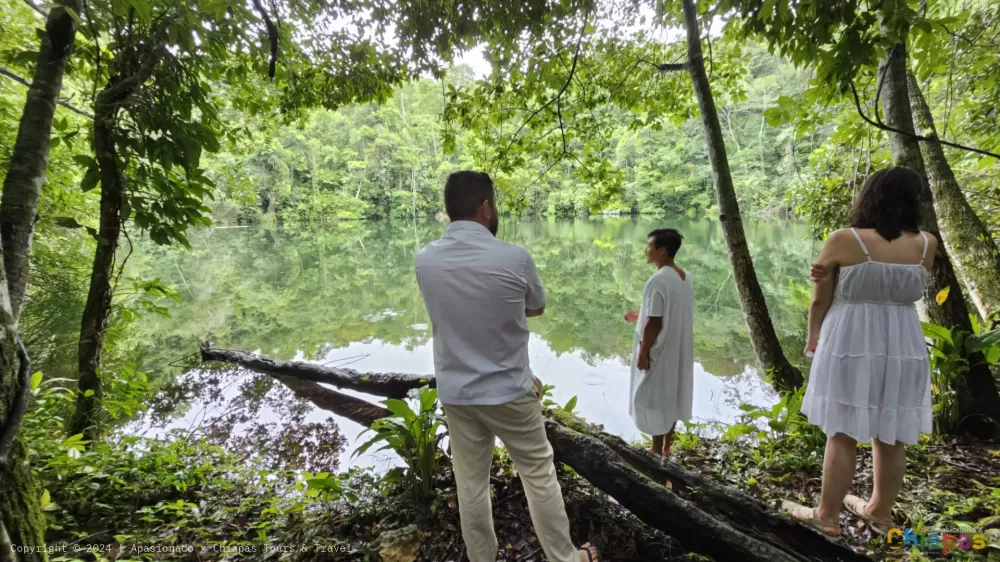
{"type": "Point", "coordinates": [473, 431]}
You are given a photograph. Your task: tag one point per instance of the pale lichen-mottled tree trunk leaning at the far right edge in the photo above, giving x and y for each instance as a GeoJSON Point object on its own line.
{"type": "Point", "coordinates": [976, 255]}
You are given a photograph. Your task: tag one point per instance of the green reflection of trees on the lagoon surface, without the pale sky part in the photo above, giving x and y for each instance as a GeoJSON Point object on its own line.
{"type": "Point", "coordinates": [314, 290]}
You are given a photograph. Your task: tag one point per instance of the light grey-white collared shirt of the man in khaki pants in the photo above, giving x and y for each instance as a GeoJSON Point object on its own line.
{"type": "Point", "coordinates": [476, 289]}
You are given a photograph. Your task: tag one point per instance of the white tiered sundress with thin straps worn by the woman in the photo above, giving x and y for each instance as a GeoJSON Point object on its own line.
{"type": "Point", "coordinates": [870, 376]}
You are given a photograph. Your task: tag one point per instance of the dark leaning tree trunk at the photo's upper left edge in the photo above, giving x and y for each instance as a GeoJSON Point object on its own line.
{"type": "Point", "coordinates": [30, 159]}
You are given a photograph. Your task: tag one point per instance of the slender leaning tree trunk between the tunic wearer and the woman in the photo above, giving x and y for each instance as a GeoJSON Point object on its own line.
{"type": "Point", "coordinates": [762, 335]}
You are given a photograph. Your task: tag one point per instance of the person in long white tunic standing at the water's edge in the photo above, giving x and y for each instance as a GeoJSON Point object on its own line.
{"type": "Point", "coordinates": [662, 382]}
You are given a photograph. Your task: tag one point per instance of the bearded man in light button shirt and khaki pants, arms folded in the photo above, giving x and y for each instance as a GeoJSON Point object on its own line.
{"type": "Point", "coordinates": [479, 292]}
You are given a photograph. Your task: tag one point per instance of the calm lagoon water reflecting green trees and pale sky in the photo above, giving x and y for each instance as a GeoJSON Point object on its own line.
{"type": "Point", "coordinates": [345, 295]}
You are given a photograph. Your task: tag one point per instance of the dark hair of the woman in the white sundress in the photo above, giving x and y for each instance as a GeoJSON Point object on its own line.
{"type": "Point", "coordinates": [889, 202]}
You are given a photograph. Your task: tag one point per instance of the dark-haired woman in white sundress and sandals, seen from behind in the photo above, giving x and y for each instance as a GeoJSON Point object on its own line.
{"type": "Point", "coordinates": [870, 377]}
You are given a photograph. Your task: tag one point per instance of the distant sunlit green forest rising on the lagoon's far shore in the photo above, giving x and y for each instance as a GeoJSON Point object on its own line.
{"type": "Point", "coordinates": [378, 161]}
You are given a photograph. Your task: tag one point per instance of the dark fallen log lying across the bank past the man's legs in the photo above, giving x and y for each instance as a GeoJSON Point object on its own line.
{"type": "Point", "coordinates": [705, 516]}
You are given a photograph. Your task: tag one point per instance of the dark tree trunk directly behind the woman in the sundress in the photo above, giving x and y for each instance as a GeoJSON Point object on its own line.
{"type": "Point", "coordinates": [978, 400]}
